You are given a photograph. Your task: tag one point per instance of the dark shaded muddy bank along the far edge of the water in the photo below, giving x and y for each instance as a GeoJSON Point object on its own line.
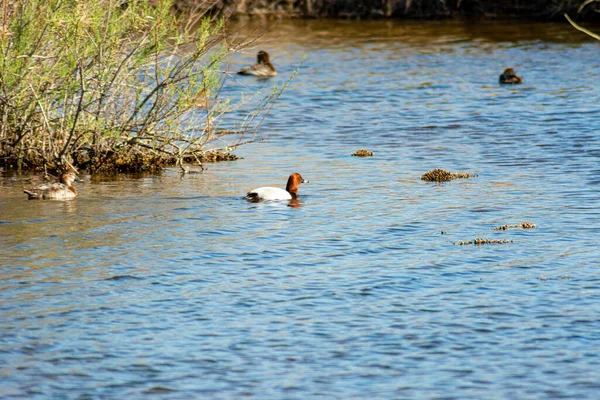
{"type": "Point", "coordinates": [544, 10]}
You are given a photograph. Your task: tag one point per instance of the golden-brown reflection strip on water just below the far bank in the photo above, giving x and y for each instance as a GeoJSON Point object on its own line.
{"type": "Point", "coordinates": [335, 33]}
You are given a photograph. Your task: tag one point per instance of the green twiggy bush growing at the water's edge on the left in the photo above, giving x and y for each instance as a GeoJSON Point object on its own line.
{"type": "Point", "coordinates": [113, 85]}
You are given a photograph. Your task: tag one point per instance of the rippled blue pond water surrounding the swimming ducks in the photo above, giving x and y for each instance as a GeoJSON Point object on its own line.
{"type": "Point", "coordinates": [171, 287]}
